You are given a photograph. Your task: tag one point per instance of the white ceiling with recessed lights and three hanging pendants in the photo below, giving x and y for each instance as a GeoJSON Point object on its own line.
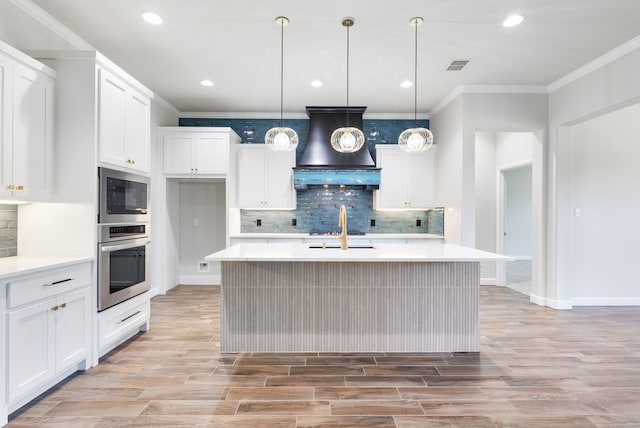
{"type": "Point", "coordinates": [236, 44]}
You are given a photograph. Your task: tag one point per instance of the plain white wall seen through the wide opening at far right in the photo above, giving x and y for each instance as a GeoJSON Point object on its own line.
{"type": "Point", "coordinates": [605, 187]}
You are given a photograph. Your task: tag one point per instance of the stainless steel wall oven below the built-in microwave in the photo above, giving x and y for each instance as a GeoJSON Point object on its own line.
{"type": "Point", "coordinates": [123, 262]}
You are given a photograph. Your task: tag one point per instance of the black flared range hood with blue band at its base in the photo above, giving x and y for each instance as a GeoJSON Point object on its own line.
{"type": "Point", "coordinates": [320, 164]}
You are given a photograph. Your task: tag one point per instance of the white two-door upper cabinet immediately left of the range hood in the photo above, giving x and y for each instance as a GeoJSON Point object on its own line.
{"type": "Point", "coordinates": [265, 178]}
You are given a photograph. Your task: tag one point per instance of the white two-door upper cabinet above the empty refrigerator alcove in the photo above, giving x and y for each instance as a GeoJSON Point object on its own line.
{"type": "Point", "coordinates": [196, 153]}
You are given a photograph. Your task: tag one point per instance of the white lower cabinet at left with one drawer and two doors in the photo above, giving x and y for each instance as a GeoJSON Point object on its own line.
{"type": "Point", "coordinates": [48, 322]}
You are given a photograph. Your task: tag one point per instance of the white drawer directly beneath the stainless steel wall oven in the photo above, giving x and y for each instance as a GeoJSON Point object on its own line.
{"type": "Point", "coordinates": [119, 321]}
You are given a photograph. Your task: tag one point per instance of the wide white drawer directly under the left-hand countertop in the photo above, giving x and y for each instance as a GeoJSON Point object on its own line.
{"type": "Point", "coordinates": [31, 288]}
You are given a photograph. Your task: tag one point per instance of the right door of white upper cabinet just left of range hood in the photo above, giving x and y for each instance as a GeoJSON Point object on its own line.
{"type": "Point", "coordinates": [279, 179]}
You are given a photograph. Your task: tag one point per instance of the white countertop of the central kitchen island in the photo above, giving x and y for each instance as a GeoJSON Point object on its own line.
{"type": "Point", "coordinates": [290, 252]}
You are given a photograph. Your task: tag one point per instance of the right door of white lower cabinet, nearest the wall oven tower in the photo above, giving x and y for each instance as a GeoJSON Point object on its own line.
{"type": "Point", "coordinates": [71, 329]}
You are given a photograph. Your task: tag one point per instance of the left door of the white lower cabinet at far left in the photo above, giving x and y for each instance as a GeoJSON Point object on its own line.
{"type": "Point", "coordinates": [31, 347]}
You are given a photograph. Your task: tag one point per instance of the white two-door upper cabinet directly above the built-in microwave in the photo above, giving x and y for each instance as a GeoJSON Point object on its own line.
{"type": "Point", "coordinates": [123, 123]}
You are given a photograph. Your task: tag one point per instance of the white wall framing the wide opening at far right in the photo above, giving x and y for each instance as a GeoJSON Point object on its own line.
{"type": "Point", "coordinates": [608, 88]}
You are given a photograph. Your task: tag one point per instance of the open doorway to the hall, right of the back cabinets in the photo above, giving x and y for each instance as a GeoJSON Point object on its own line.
{"type": "Point", "coordinates": [506, 161]}
